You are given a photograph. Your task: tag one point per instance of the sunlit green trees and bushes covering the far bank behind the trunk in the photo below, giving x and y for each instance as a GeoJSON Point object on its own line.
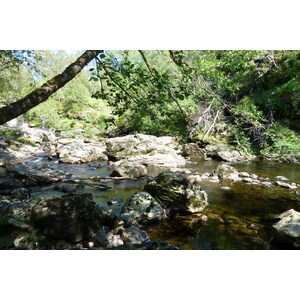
{"type": "Point", "coordinates": [250, 99]}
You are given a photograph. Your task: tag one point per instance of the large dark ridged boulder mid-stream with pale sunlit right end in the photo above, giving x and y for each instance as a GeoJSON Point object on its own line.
{"type": "Point", "coordinates": [177, 192]}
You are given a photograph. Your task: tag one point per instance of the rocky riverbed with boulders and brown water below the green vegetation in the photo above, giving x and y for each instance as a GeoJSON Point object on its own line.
{"type": "Point", "coordinates": [143, 192]}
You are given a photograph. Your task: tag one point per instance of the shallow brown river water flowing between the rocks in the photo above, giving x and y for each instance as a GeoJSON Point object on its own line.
{"type": "Point", "coordinates": [237, 217]}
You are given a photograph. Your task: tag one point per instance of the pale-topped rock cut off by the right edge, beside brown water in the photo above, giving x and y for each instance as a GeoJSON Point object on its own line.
{"type": "Point", "coordinates": [288, 228]}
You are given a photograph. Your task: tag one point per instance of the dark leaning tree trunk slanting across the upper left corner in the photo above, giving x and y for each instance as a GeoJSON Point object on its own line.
{"type": "Point", "coordinates": [42, 93]}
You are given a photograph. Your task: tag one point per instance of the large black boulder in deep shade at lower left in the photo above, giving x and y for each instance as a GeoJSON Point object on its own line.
{"type": "Point", "coordinates": [71, 217]}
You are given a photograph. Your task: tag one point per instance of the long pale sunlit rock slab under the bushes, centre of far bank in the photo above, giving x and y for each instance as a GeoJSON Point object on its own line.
{"type": "Point", "coordinates": [140, 144]}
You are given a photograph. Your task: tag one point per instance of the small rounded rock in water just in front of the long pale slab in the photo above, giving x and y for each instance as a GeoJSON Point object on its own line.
{"type": "Point", "coordinates": [129, 169]}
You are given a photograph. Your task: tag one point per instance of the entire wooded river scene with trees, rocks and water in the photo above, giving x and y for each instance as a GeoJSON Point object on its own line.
{"type": "Point", "coordinates": [150, 149]}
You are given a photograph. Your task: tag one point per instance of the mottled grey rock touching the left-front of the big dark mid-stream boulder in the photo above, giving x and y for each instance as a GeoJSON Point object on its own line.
{"type": "Point", "coordinates": [142, 208]}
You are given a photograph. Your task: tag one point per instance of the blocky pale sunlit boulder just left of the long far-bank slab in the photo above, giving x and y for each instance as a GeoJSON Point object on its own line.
{"type": "Point", "coordinates": [78, 151]}
